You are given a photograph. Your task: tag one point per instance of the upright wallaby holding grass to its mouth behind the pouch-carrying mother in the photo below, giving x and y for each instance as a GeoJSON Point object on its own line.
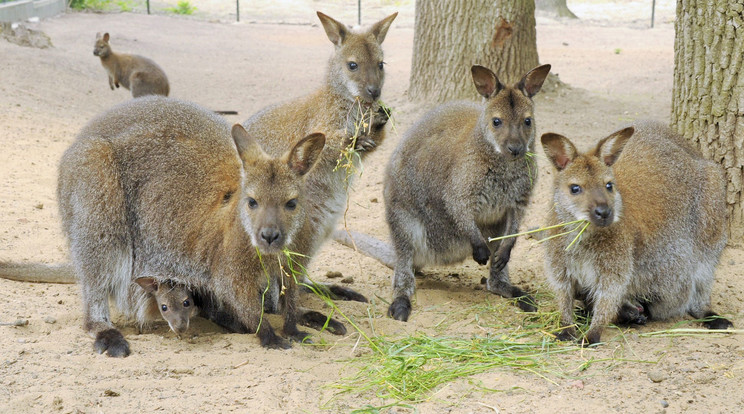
{"type": "Point", "coordinates": [339, 109]}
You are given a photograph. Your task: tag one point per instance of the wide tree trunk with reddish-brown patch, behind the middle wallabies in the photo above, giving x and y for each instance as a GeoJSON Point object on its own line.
{"type": "Point", "coordinates": [452, 35]}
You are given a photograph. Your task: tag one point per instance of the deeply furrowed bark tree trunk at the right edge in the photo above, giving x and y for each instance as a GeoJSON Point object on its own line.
{"type": "Point", "coordinates": [708, 97]}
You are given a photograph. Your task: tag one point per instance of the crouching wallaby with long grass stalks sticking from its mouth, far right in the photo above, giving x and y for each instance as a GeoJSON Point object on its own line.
{"type": "Point", "coordinates": [656, 212]}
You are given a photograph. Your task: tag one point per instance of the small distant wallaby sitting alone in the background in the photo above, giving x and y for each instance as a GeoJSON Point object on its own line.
{"type": "Point", "coordinates": [136, 73]}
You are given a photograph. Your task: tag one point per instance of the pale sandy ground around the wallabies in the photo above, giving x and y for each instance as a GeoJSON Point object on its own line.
{"type": "Point", "coordinates": [617, 71]}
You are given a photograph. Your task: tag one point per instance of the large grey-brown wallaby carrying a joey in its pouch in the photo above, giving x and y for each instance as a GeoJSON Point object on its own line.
{"type": "Point", "coordinates": [161, 186]}
